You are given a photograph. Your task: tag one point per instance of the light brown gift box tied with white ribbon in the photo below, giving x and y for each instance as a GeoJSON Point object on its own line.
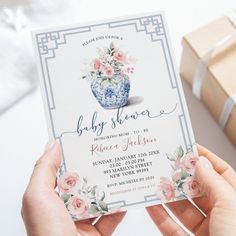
{"type": "Point", "coordinates": [208, 64]}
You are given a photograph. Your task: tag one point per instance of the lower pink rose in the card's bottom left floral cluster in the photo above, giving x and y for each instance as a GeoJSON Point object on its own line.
{"type": "Point", "coordinates": [78, 205]}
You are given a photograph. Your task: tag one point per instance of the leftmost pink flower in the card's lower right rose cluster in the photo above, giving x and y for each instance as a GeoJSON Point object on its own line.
{"type": "Point", "coordinates": [165, 190]}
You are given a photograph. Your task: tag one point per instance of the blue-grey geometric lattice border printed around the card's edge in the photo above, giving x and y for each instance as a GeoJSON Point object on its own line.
{"type": "Point", "coordinates": [153, 26]}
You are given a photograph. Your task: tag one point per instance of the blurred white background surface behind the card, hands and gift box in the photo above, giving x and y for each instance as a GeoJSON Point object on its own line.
{"type": "Point", "coordinates": [23, 131]}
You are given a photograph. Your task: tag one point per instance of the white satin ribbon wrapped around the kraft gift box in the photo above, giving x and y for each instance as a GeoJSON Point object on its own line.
{"type": "Point", "coordinates": [202, 69]}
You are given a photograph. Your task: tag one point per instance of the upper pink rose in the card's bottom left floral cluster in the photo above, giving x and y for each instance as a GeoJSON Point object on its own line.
{"type": "Point", "coordinates": [67, 182]}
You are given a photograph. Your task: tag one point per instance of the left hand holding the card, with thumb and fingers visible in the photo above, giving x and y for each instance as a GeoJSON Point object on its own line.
{"type": "Point", "coordinates": [43, 211]}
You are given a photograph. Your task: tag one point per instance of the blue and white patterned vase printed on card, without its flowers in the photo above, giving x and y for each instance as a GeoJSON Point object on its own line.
{"type": "Point", "coordinates": [111, 92]}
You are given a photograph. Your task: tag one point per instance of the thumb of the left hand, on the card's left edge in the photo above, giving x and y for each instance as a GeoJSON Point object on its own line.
{"type": "Point", "coordinates": [45, 170]}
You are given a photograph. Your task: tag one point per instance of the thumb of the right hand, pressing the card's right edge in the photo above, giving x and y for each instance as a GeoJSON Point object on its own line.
{"type": "Point", "coordinates": [212, 183]}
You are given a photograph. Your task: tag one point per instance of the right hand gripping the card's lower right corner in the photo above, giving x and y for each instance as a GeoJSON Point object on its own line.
{"type": "Point", "coordinates": [218, 216]}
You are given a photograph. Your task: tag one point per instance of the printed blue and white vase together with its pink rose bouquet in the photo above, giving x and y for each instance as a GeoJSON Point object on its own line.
{"type": "Point", "coordinates": [109, 78]}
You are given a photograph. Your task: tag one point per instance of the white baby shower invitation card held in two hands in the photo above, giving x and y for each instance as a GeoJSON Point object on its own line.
{"type": "Point", "coordinates": [115, 103]}
